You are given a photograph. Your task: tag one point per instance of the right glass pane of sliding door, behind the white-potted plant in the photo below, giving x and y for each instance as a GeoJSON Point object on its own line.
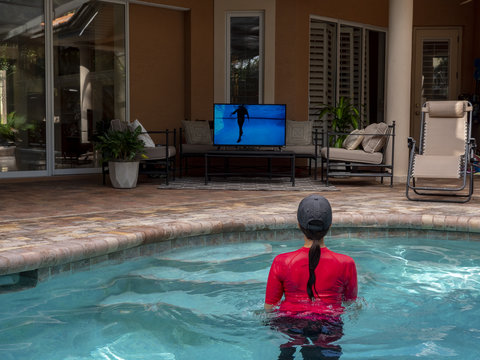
{"type": "Point", "coordinates": [89, 77]}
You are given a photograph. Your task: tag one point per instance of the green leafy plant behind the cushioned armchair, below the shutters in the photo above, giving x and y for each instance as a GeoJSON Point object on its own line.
{"type": "Point", "coordinates": [345, 118]}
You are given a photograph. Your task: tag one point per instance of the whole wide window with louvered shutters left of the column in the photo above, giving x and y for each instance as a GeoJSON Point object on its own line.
{"type": "Point", "coordinates": [348, 61]}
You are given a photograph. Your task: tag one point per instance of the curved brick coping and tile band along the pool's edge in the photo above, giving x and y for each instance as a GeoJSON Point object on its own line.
{"type": "Point", "coordinates": [81, 254]}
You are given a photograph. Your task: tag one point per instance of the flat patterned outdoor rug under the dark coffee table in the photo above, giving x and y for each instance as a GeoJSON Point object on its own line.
{"type": "Point", "coordinates": [247, 184]}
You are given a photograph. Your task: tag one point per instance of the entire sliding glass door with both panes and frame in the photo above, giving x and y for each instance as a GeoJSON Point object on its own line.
{"type": "Point", "coordinates": [62, 79]}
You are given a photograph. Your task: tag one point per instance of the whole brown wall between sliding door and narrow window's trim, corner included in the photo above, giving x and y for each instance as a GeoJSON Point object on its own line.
{"type": "Point", "coordinates": [171, 62]}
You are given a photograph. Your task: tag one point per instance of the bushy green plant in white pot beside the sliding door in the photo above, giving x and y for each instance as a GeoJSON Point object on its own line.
{"type": "Point", "coordinates": [120, 149]}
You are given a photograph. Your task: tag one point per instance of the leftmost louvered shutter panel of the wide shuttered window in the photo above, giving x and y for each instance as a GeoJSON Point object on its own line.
{"type": "Point", "coordinates": [322, 68]}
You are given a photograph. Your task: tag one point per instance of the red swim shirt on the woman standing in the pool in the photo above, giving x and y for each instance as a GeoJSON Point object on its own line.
{"type": "Point", "coordinates": [336, 281]}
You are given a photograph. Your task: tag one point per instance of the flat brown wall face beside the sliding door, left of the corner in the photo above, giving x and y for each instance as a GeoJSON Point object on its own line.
{"type": "Point", "coordinates": [157, 66]}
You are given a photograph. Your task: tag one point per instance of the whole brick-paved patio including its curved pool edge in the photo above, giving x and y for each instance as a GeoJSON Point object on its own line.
{"type": "Point", "coordinates": [50, 223]}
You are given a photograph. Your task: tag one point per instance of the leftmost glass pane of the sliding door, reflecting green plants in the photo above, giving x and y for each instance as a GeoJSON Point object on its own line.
{"type": "Point", "coordinates": [22, 86]}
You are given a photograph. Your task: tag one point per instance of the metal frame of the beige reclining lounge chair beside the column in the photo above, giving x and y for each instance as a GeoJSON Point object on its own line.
{"type": "Point", "coordinates": [443, 194]}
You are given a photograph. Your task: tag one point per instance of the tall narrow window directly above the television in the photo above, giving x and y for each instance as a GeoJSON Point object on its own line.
{"type": "Point", "coordinates": [245, 58]}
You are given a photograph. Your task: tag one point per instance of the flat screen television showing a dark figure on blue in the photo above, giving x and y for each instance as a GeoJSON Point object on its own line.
{"type": "Point", "coordinates": [249, 124]}
